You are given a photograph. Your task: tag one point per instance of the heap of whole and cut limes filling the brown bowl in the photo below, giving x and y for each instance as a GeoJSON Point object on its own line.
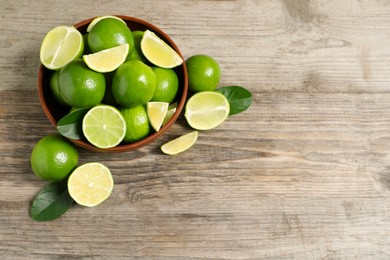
{"type": "Point", "coordinates": [125, 77]}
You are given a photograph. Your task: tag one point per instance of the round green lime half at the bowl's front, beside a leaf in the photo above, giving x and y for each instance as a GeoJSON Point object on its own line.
{"type": "Point", "coordinates": [104, 126]}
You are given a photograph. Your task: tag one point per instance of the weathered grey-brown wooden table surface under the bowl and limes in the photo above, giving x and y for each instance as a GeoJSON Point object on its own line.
{"type": "Point", "coordinates": [303, 174]}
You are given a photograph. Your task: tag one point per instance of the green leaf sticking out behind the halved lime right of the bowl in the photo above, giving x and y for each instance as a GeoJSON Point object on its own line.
{"type": "Point", "coordinates": [239, 98]}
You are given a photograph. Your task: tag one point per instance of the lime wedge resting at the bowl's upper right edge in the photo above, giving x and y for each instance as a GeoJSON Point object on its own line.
{"type": "Point", "coordinates": [158, 52]}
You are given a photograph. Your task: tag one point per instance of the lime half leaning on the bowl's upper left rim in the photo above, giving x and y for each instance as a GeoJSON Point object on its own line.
{"type": "Point", "coordinates": [60, 46]}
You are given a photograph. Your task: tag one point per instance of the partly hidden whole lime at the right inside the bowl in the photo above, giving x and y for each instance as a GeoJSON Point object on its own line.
{"type": "Point", "coordinates": [167, 85]}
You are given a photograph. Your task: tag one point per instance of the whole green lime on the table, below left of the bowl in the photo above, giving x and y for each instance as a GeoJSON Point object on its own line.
{"type": "Point", "coordinates": [53, 158]}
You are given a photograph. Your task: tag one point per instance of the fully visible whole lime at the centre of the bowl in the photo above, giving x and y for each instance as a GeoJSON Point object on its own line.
{"type": "Point", "coordinates": [133, 84]}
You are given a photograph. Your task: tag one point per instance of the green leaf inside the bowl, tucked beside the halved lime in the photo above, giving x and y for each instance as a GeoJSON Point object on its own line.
{"type": "Point", "coordinates": [70, 125]}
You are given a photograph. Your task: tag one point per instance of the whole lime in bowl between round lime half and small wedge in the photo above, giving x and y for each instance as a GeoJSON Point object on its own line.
{"type": "Point", "coordinates": [137, 123]}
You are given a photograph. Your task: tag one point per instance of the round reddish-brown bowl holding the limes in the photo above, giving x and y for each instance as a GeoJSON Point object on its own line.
{"type": "Point", "coordinates": [55, 112]}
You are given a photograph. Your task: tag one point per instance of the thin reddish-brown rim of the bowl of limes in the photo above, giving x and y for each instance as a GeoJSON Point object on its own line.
{"type": "Point", "coordinates": [150, 138]}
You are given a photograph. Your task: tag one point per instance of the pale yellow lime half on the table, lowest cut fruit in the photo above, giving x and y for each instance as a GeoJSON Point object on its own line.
{"type": "Point", "coordinates": [90, 184]}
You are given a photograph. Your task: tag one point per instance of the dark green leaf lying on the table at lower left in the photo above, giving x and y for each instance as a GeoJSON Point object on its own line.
{"type": "Point", "coordinates": [51, 202]}
